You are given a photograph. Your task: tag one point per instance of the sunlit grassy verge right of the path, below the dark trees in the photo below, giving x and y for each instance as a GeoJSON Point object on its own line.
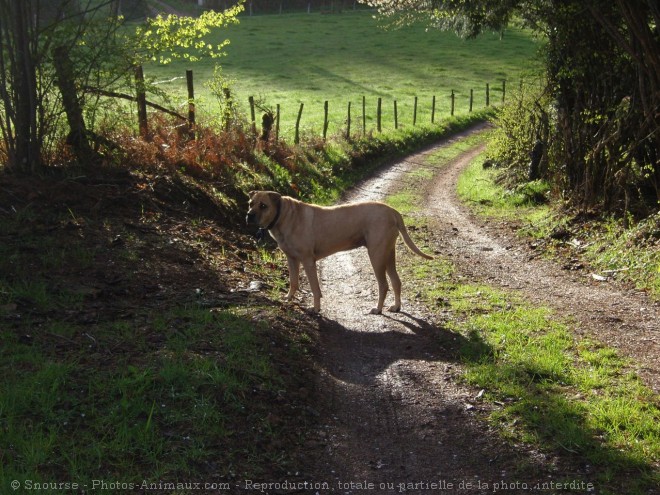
{"type": "Point", "coordinates": [614, 247]}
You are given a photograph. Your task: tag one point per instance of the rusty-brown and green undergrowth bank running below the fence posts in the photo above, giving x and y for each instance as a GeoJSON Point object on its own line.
{"type": "Point", "coordinates": [232, 162]}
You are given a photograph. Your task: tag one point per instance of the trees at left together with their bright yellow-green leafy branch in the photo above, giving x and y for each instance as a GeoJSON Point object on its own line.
{"type": "Point", "coordinates": [56, 54]}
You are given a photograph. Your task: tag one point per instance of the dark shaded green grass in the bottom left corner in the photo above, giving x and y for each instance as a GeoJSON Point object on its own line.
{"type": "Point", "coordinates": [148, 411]}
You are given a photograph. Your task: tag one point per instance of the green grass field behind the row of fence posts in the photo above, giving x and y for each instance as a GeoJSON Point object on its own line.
{"type": "Point", "coordinates": [310, 58]}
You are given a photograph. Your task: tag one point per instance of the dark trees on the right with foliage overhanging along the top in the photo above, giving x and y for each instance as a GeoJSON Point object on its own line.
{"type": "Point", "coordinates": [602, 65]}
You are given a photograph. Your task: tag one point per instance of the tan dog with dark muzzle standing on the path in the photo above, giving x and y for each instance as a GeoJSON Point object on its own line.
{"type": "Point", "coordinates": [306, 233]}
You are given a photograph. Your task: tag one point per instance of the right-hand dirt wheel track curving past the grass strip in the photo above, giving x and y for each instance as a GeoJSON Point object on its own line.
{"type": "Point", "coordinates": [621, 318]}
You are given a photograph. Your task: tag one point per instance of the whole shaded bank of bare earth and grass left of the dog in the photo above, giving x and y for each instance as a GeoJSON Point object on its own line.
{"type": "Point", "coordinates": [125, 355]}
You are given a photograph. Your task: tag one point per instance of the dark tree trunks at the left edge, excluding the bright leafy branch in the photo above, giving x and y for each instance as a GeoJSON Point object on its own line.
{"type": "Point", "coordinates": [46, 48]}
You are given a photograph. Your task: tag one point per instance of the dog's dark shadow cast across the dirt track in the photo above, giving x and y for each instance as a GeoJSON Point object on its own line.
{"type": "Point", "coordinates": [360, 356]}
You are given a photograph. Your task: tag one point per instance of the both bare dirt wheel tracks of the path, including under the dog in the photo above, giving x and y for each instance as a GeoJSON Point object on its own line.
{"type": "Point", "coordinates": [395, 419]}
